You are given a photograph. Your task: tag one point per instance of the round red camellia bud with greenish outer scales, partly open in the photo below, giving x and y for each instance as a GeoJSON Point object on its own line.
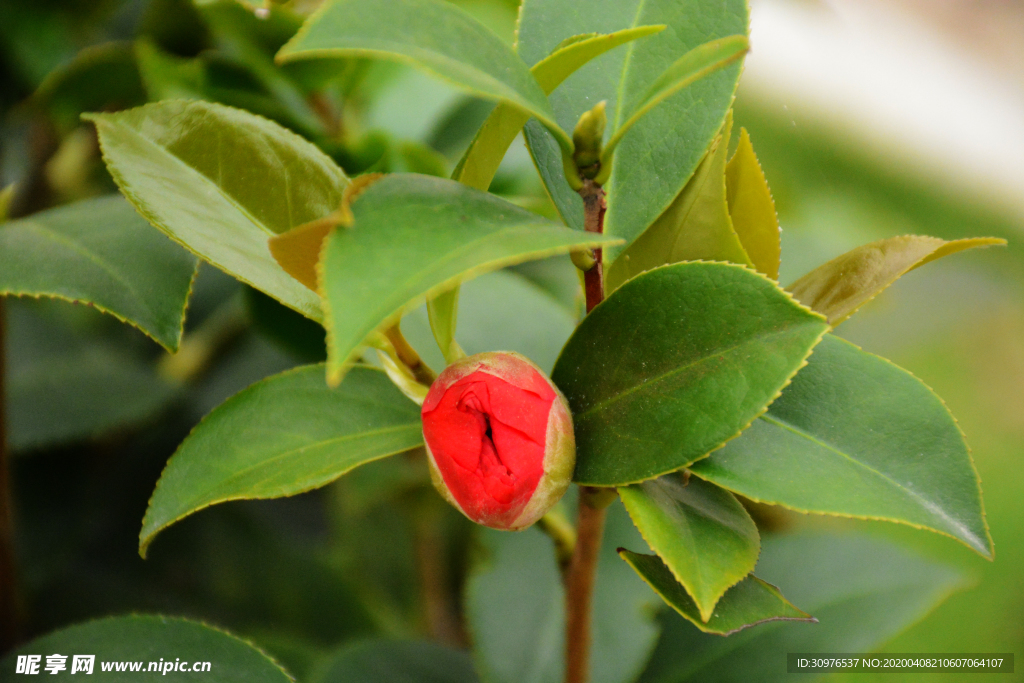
{"type": "Point", "coordinates": [499, 439]}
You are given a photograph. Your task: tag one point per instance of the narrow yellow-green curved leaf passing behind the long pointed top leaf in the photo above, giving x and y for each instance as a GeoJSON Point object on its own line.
{"type": "Point", "coordinates": [482, 160]}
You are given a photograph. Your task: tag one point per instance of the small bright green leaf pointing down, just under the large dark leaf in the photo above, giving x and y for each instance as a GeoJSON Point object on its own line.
{"type": "Point", "coordinates": [705, 537]}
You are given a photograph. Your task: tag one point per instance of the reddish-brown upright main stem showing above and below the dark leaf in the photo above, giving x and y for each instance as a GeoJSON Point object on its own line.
{"type": "Point", "coordinates": [590, 525]}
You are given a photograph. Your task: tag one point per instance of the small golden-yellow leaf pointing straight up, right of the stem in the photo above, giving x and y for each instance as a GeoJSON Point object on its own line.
{"type": "Point", "coordinates": [752, 208]}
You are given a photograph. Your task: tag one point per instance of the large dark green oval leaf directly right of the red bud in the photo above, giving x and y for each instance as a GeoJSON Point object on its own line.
{"type": "Point", "coordinates": [654, 388]}
